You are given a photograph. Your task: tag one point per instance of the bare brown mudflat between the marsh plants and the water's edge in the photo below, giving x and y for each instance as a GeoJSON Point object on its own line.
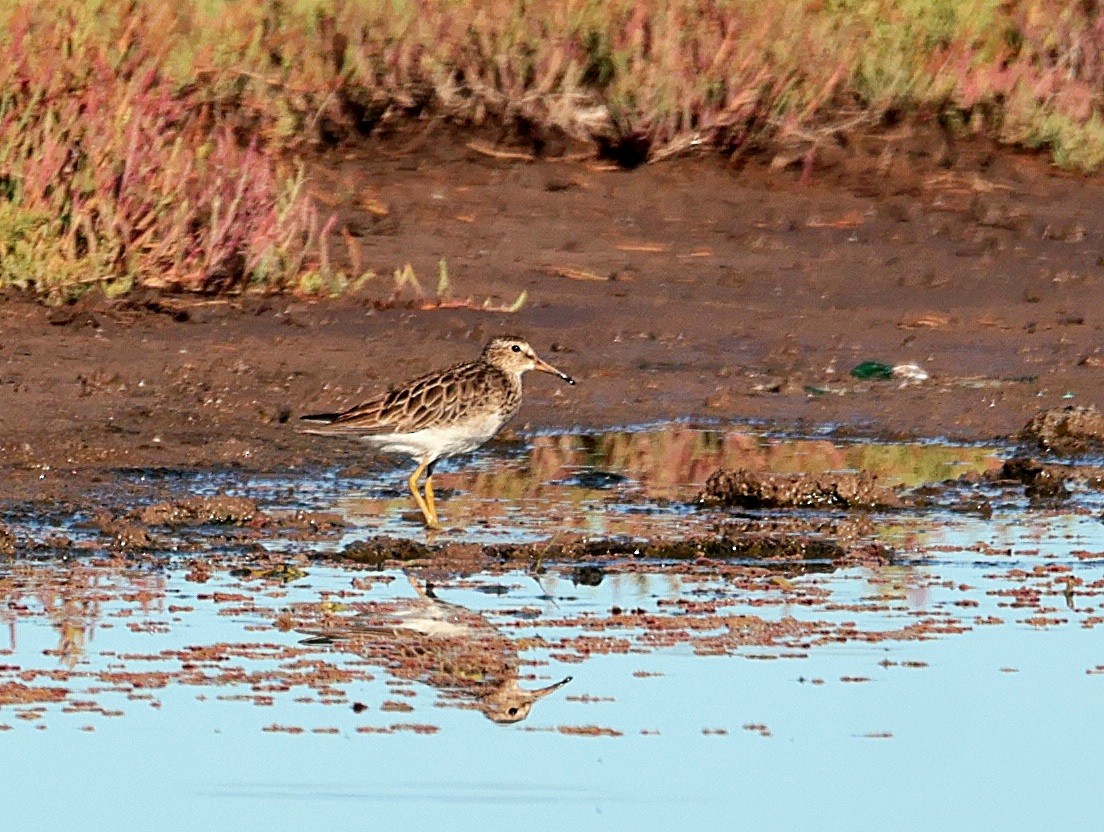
{"type": "Point", "coordinates": [684, 290]}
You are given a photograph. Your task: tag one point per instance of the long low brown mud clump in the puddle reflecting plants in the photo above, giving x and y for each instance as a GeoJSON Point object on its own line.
{"type": "Point", "coordinates": [759, 490]}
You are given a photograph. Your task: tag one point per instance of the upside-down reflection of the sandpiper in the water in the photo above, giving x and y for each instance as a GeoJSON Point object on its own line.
{"type": "Point", "coordinates": [447, 646]}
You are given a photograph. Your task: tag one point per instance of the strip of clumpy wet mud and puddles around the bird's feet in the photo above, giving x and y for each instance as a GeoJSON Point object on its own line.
{"type": "Point", "coordinates": [664, 495]}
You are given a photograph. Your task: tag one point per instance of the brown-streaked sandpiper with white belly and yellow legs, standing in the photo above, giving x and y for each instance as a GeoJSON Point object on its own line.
{"type": "Point", "coordinates": [441, 414]}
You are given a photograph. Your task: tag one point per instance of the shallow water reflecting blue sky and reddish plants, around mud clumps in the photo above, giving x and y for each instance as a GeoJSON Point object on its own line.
{"type": "Point", "coordinates": [958, 687]}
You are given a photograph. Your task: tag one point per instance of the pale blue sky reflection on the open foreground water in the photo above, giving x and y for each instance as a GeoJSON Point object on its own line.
{"type": "Point", "coordinates": [996, 726]}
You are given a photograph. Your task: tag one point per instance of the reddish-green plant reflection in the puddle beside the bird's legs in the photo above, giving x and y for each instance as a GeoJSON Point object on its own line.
{"type": "Point", "coordinates": [645, 483]}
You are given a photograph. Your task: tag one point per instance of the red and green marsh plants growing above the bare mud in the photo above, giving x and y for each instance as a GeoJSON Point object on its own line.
{"type": "Point", "coordinates": [148, 144]}
